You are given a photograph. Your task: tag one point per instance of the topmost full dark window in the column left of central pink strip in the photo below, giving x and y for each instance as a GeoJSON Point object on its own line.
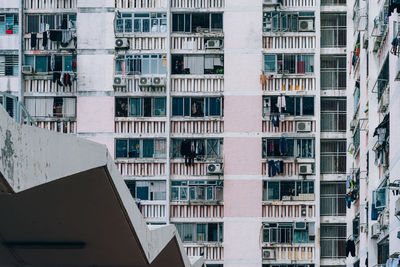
{"type": "Point", "coordinates": [197, 22]}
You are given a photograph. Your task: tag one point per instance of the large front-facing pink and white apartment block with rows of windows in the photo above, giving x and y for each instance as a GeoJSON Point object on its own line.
{"type": "Point", "coordinates": [226, 118]}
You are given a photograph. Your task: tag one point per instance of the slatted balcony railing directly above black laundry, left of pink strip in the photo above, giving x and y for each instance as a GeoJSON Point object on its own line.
{"type": "Point", "coordinates": [197, 126]}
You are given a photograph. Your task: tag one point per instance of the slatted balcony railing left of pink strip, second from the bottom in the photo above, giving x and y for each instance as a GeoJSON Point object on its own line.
{"type": "Point", "coordinates": [200, 210]}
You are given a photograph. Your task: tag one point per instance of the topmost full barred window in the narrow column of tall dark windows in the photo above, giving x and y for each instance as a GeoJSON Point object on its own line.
{"type": "Point", "coordinates": [333, 29]}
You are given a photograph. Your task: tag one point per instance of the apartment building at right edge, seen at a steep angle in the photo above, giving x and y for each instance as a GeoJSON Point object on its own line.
{"type": "Point", "coordinates": [372, 179]}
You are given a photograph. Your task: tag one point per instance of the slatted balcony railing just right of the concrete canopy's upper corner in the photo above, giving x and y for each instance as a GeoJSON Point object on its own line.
{"type": "Point", "coordinates": [141, 168]}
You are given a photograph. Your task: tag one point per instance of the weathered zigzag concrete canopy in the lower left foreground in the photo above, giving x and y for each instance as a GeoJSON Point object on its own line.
{"type": "Point", "coordinates": [57, 189]}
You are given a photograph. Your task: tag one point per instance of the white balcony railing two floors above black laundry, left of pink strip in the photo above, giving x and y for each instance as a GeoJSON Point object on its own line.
{"type": "Point", "coordinates": [197, 84]}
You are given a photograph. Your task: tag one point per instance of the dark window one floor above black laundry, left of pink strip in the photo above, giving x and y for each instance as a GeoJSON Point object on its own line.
{"type": "Point", "coordinates": [196, 106]}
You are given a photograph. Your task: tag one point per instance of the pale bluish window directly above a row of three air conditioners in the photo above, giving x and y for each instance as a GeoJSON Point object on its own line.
{"type": "Point", "coordinates": [140, 64]}
